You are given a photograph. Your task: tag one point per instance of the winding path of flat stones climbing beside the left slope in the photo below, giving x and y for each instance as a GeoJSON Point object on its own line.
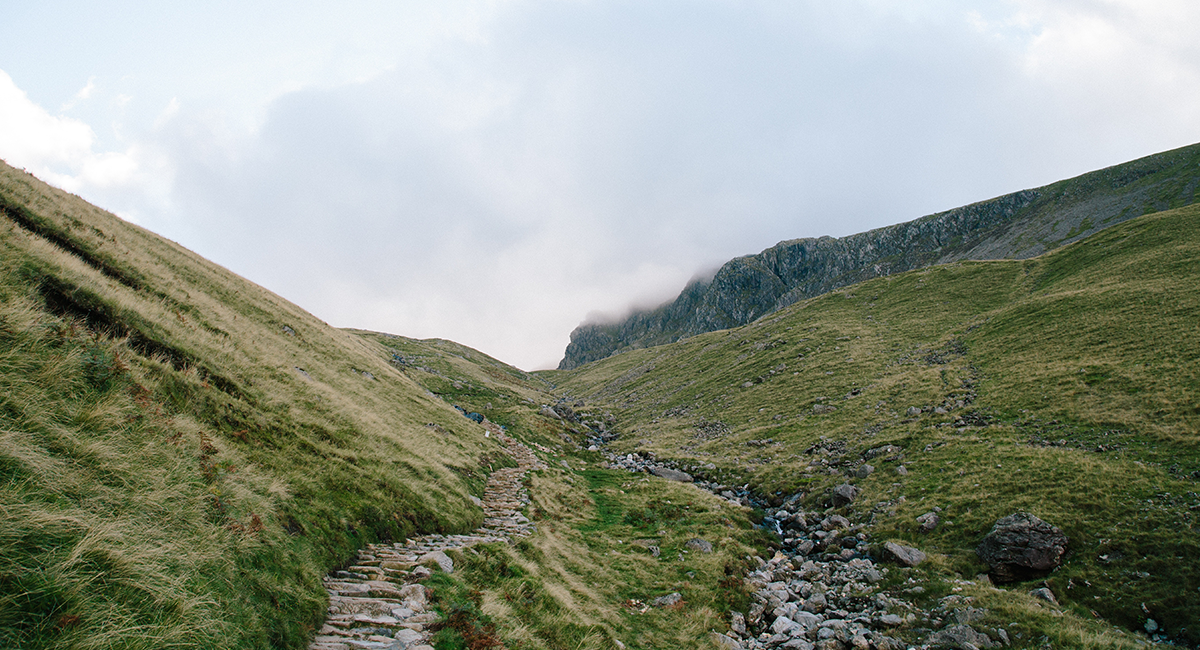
{"type": "Point", "coordinates": [381, 604]}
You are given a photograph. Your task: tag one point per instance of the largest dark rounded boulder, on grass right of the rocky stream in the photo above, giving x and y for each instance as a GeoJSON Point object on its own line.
{"type": "Point", "coordinates": [1021, 547]}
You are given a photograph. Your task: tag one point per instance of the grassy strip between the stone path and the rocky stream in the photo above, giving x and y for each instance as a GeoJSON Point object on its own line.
{"type": "Point", "coordinates": [608, 543]}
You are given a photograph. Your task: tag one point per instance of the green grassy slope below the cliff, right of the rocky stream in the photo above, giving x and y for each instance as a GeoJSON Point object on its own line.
{"type": "Point", "coordinates": [1065, 386]}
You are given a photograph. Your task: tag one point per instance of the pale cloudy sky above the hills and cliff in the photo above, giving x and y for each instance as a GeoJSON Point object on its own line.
{"type": "Point", "coordinates": [497, 172]}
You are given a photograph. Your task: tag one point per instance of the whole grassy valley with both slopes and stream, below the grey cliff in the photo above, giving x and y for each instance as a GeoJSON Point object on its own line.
{"type": "Point", "coordinates": [187, 458]}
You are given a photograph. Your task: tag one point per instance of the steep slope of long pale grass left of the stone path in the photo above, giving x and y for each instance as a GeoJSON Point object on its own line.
{"type": "Point", "coordinates": [183, 454]}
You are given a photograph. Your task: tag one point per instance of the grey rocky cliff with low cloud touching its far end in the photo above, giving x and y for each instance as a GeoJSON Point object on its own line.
{"type": "Point", "coordinates": [1016, 226]}
